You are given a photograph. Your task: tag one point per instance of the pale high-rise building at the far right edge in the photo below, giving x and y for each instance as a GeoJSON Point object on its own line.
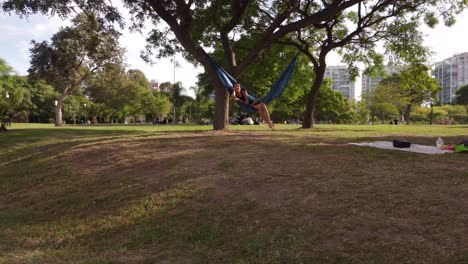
{"type": "Point", "coordinates": [452, 73]}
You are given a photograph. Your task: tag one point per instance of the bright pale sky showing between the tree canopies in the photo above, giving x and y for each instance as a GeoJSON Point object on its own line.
{"type": "Point", "coordinates": [16, 35]}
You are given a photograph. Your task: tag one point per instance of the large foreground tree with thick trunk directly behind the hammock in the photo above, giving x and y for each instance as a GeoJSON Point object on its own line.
{"type": "Point", "coordinates": [194, 26]}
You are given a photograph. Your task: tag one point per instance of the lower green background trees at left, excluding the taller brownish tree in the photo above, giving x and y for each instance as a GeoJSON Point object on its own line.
{"type": "Point", "coordinates": [111, 95]}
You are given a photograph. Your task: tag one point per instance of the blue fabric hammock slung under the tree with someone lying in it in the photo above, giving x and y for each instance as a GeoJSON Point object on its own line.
{"type": "Point", "coordinates": [275, 91]}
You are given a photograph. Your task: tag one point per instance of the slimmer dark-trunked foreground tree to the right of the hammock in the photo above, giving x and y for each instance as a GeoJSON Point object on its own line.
{"type": "Point", "coordinates": [356, 31]}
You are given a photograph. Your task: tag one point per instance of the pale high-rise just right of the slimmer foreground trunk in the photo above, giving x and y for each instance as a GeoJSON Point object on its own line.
{"type": "Point", "coordinates": [341, 80]}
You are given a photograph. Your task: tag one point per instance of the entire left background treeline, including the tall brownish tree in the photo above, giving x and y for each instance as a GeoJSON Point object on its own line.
{"type": "Point", "coordinates": [79, 76]}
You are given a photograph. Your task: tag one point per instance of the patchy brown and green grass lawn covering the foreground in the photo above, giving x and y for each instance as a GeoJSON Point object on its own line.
{"type": "Point", "coordinates": [187, 194]}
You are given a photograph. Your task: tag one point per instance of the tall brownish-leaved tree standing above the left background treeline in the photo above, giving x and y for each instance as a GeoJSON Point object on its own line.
{"type": "Point", "coordinates": [73, 55]}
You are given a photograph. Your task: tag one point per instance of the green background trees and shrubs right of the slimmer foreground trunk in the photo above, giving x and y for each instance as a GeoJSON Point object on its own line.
{"type": "Point", "coordinates": [410, 96]}
